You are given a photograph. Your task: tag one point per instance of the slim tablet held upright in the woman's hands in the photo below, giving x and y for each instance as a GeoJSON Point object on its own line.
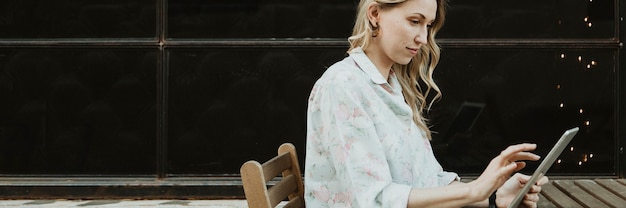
{"type": "Point", "coordinates": [545, 165]}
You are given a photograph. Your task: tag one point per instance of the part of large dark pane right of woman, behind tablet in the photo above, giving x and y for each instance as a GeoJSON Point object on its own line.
{"type": "Point", "coordinates": [529, 95]}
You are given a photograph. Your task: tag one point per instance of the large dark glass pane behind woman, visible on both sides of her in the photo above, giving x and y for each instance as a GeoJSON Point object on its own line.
{"type": "Point", "coordinates": [227, 106]}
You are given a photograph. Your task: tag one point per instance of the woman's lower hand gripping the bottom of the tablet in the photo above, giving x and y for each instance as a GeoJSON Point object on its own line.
{"type": "Point", "coordinates": [506, 193]}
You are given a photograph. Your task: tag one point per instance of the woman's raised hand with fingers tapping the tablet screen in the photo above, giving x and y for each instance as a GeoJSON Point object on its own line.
{"type": "Point", "coordinates": [501, 168]}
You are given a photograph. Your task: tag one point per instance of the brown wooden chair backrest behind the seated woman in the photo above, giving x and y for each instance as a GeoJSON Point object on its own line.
{"type": "Point", "coordinates": [290, 186]}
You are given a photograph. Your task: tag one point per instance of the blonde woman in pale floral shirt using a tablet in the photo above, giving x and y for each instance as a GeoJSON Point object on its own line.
{"type": "Point", "coordinates": [367, 141]}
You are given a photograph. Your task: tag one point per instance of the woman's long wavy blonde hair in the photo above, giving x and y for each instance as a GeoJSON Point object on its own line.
{"type": "Point", "coordinates": [416, 78]}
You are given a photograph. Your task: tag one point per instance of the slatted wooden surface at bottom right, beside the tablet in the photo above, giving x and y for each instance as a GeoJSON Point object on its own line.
{"type": "Point", "coordinates": [584, 193]}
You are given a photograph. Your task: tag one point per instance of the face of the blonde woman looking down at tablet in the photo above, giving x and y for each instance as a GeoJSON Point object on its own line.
{"type": "Point", "coordinates": [404, 29]}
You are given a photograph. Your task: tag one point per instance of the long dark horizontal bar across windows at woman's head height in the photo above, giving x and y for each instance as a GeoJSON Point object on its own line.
{"type": "Point", "coordinates": [306, 42]}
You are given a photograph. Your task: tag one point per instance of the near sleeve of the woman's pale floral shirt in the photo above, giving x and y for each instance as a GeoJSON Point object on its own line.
{"type": "Point", "coordinates": [355, 149]}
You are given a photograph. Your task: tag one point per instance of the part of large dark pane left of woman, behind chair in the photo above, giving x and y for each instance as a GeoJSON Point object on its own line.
{"type": "Point", "coordinates": [227, 106]}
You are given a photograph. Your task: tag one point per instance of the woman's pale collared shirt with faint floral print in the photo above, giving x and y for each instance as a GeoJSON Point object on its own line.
{"type": "Point", "coordinates": [363, 148]}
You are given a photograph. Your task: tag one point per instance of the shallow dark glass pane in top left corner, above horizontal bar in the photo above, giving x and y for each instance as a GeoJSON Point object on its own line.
{"type": "Point", "coordinates": [23, 19]}
